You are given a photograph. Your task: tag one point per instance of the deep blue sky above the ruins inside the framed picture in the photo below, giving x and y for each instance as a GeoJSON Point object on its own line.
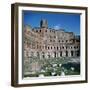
{"type": "Point", "coordinates": [68, 22]}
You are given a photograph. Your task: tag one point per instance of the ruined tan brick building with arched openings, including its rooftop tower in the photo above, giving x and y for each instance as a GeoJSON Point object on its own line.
{"type": "Point", "coordinates": [44, 42]}
